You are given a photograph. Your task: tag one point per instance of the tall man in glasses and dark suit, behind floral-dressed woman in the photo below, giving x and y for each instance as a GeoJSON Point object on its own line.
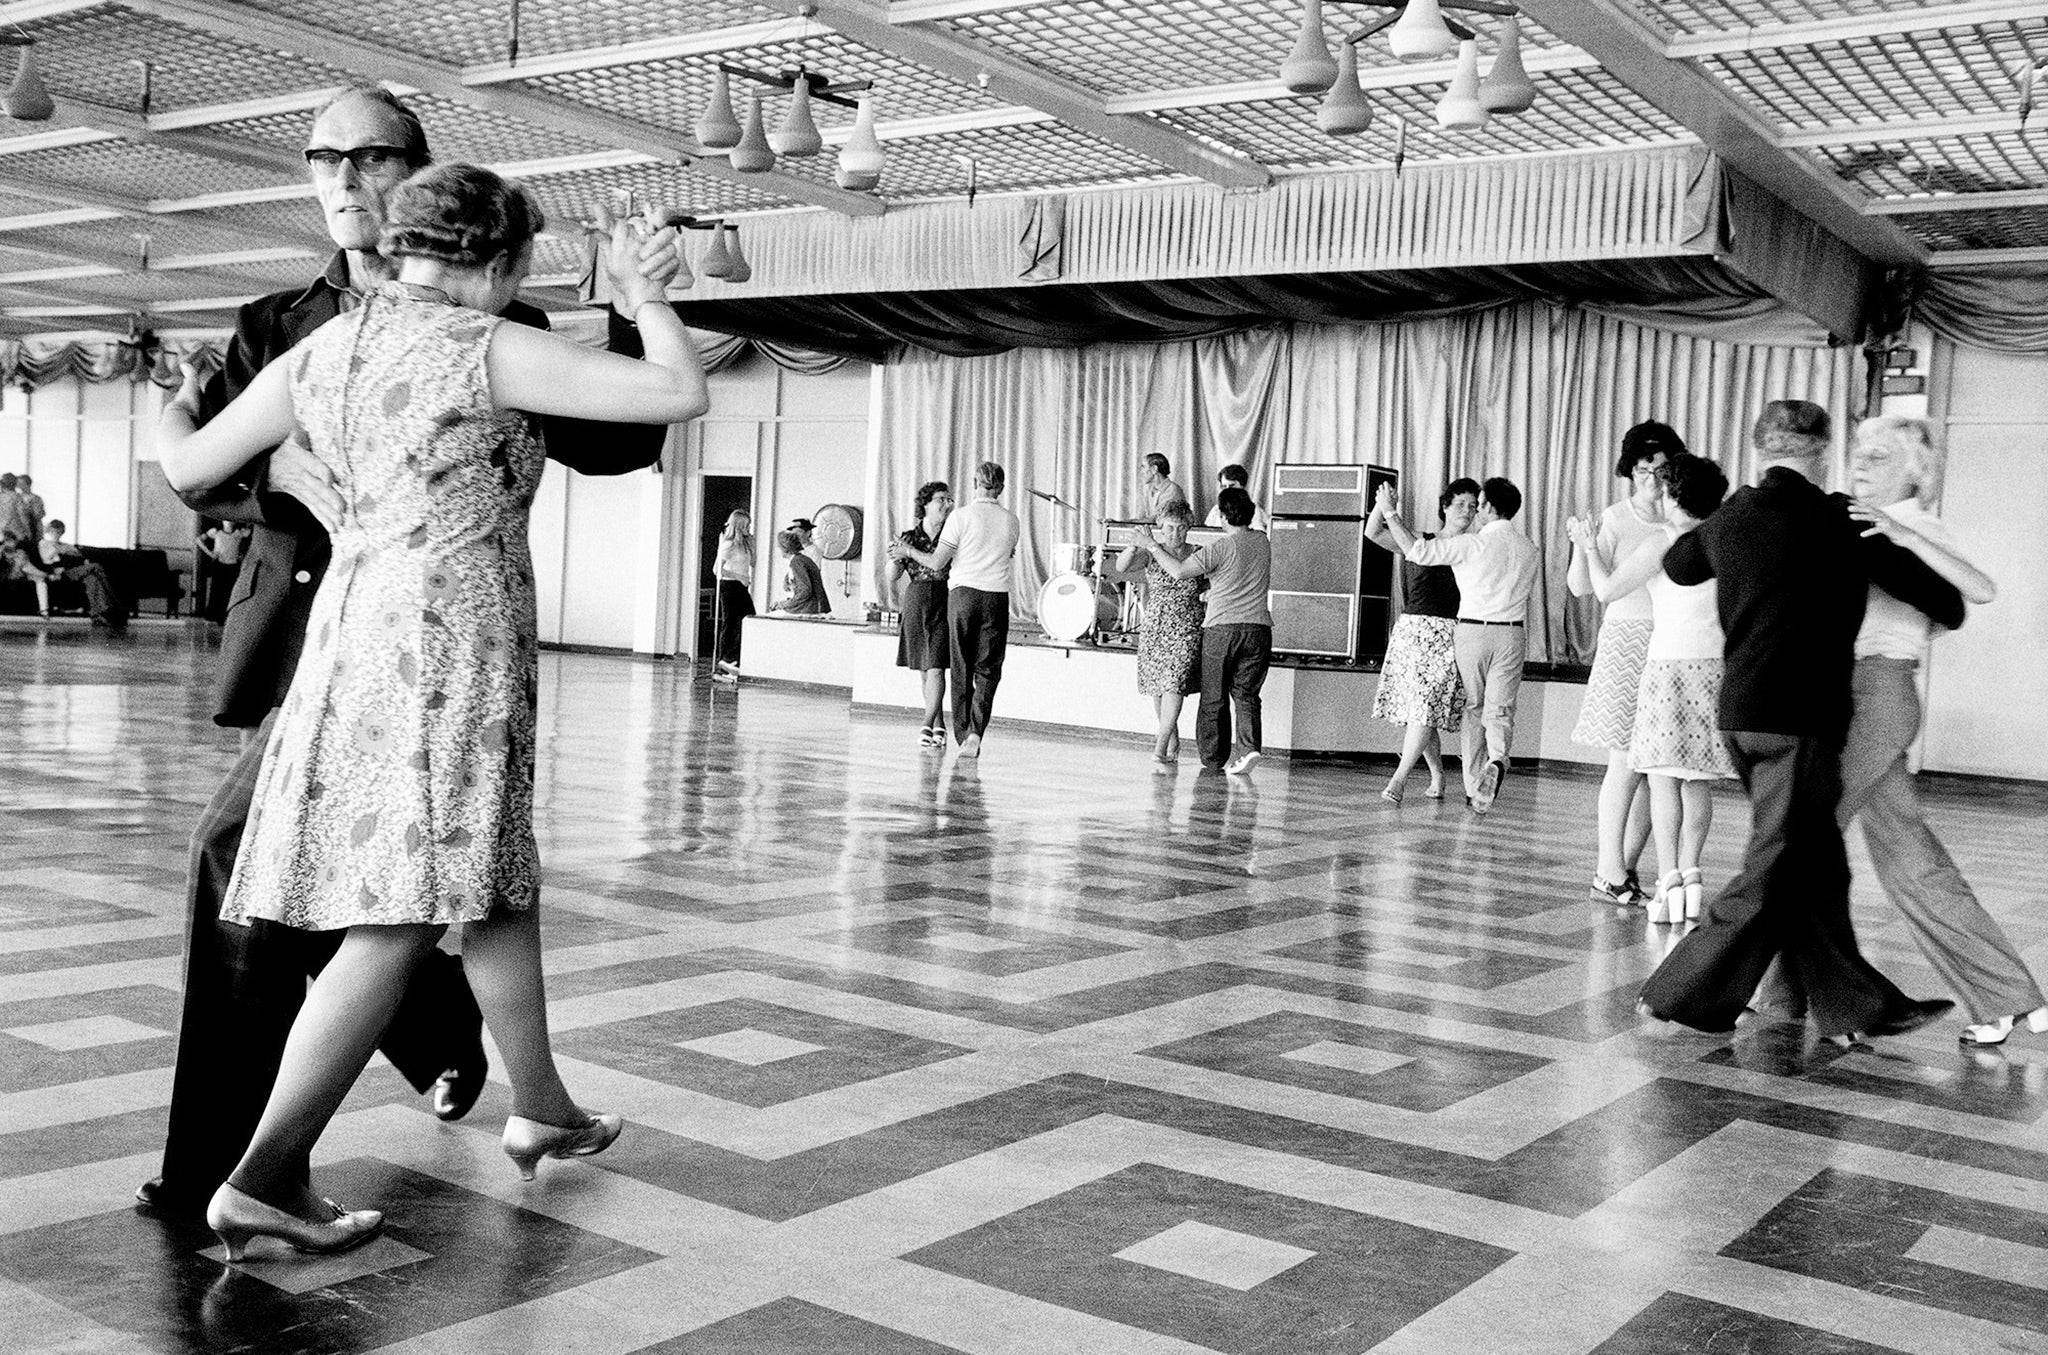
{"type": "Point", "coordinates": [245, 986]}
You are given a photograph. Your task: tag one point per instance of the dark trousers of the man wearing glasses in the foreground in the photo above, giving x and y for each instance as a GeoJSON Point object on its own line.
{"type": "Point", "coordinates": [243, 992]}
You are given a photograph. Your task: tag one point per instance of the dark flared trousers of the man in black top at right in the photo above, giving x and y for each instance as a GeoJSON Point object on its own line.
{"type": "Point", "coordinates": [1791, 900]}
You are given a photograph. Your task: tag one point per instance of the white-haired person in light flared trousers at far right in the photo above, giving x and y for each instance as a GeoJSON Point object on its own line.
{"type": "Point", "coordinates": [1895, 474]}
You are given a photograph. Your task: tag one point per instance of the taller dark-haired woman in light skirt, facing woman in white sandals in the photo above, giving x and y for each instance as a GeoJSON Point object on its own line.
{"type": "Point", "coordinates": [1625, 633]}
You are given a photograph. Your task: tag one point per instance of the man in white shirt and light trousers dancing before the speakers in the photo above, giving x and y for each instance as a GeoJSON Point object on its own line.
{"type": "Point", "coordinates": [1496, 570]}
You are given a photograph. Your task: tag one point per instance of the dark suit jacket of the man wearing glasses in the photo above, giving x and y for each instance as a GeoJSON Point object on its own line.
{"type": "Point", "coordinates": [288, 554]}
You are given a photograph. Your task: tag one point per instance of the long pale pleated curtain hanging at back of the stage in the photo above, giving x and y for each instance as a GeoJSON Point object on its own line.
{"type": "Point", "coordinates": [1531, 392]}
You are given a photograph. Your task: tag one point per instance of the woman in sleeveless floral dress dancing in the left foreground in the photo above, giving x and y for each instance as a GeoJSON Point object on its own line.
{"type": "Point", "coordinates": [396, 793]}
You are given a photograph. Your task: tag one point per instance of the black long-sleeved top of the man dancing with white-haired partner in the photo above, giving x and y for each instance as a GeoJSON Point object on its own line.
{"type": "Point", "coordinates": [1793, 572]}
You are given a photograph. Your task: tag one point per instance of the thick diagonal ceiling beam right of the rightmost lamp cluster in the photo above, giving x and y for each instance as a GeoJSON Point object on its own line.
{"type": "Point", "coordinates": [1730, 128]}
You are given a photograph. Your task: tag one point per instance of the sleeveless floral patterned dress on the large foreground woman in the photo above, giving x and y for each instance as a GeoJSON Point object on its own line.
{"type": "Point", "coordinates": [398, 779]}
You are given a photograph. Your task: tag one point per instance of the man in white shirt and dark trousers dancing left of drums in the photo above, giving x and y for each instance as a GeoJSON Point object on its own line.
{"type": "Point", "coordinates": [980, 545]}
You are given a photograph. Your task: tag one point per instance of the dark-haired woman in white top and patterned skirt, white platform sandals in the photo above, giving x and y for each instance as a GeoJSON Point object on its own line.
{"type": "Point", "coordinates": [1676, 734]}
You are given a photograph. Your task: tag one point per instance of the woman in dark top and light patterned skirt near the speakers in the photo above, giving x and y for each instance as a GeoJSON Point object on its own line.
{"type": "Point", "coordinates": [1420, 683]}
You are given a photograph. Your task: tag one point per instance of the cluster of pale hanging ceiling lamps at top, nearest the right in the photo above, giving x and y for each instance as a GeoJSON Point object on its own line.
{"type": "Point", "coordinates": [1416, 34]}
